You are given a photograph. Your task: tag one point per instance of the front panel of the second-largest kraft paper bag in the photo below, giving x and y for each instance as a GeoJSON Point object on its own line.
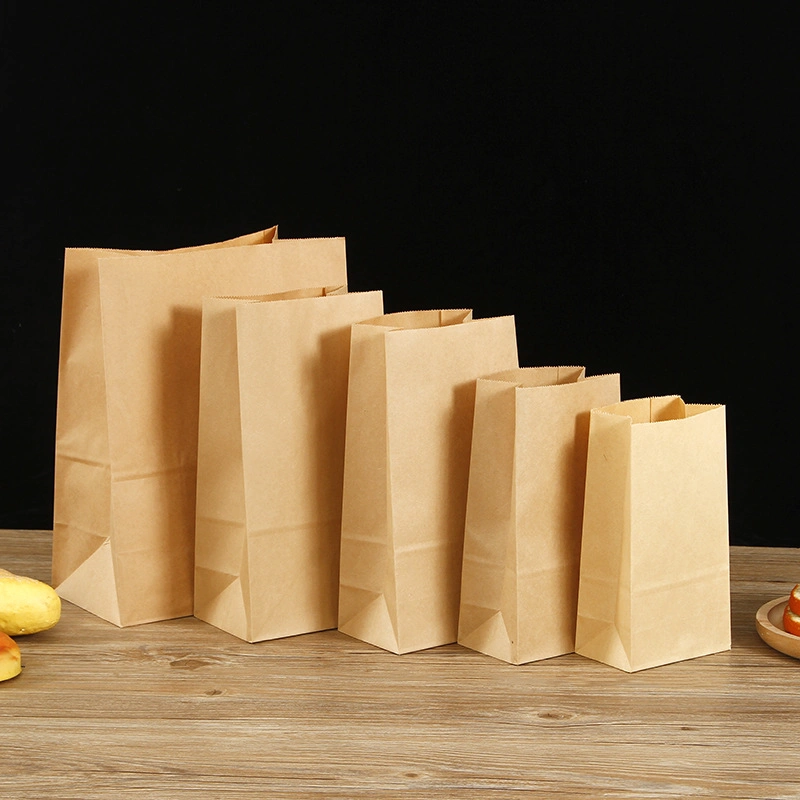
{"type": "Point", "coordinates": [293, 376]}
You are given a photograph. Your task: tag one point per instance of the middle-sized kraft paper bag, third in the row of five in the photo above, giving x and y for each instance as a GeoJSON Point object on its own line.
{"type": "Point", "coordinates": [409, 428]}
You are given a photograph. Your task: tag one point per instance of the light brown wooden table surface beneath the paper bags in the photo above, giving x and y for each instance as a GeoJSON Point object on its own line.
{"type": "Point", "coordinates": [181, 709]}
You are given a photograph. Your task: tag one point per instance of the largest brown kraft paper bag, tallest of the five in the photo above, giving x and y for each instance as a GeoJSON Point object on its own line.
{"type": "Point", "coordinates": [126, 446]}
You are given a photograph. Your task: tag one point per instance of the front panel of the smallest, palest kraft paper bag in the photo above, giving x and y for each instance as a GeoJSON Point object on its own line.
{"type": "Point", "coordinates": [679, 540]}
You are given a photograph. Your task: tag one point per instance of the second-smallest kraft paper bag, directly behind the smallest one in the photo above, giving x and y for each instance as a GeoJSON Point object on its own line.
{"type": "Point", "coordinates": [519, 583]}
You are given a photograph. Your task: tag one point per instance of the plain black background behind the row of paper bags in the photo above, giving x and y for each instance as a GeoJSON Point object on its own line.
{"type": "Point", "coordinates": [620, 177]}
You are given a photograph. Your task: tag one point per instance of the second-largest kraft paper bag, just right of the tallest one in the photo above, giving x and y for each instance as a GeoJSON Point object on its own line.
{"type": "Point", "coordinates": [273, 401]}
